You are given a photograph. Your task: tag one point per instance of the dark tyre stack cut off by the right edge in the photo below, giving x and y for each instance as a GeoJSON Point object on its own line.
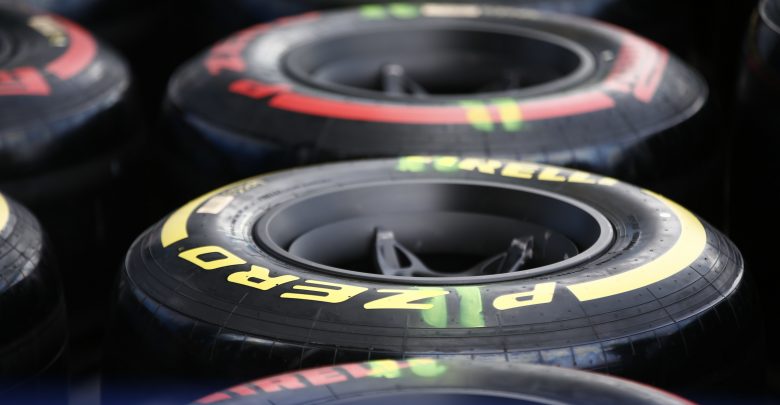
{"type": "Point", "coordinates": [754, 214]}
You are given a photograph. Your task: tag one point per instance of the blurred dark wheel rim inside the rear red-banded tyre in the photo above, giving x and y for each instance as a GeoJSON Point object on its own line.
{"type": "Point", "coordinates": [436, 62]}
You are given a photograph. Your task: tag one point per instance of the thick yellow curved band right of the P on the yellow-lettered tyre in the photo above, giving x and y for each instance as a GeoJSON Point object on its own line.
{"type": "Point", "coordinates": [686, 250]}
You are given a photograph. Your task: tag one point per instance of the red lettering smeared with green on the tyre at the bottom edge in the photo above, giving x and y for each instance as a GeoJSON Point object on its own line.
{"type": "Point", "coordinates": [388, 369]}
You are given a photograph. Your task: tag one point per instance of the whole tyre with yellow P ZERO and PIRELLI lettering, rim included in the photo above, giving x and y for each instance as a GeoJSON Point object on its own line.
{"type": "Point", "coordinates": [419, 256]}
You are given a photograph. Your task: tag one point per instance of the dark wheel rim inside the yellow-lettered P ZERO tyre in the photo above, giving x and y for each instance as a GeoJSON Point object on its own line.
{"type": "Point", "coordinates": [435, 232]}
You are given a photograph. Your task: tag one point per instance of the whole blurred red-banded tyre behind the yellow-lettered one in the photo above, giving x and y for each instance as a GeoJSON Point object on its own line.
{"type": "Point", "coordinates": [351, 84]}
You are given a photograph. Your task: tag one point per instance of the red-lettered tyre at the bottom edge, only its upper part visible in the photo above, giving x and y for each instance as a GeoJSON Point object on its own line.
{"type": "Point", "coordinates": [430, 381]}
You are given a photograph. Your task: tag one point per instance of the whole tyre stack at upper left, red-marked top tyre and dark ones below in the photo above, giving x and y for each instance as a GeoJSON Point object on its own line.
{"type": "Point", "coordinates": [68, 140]}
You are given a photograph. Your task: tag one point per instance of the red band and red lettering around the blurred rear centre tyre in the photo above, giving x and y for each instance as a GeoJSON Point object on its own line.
{"type": "Point", "coordinates": [638, 70]}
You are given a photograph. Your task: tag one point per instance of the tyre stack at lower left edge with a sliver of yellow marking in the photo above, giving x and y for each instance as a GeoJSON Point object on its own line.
{"type": "Point", "coordinates": [32, 312]}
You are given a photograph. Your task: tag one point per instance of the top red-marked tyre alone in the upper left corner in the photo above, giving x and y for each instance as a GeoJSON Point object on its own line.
{"type": "Point", "coordinates": [60, 94]}
